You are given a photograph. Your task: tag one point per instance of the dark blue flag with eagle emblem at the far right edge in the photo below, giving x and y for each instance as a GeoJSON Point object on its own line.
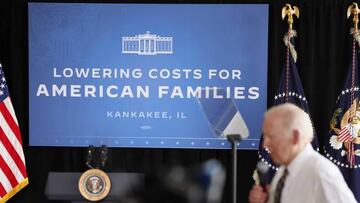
{"type": "Point", "coordinates": [342, 143]}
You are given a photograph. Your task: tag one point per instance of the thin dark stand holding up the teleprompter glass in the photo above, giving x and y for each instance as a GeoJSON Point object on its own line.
{"type": "Point", "coordinates": [234, 139]}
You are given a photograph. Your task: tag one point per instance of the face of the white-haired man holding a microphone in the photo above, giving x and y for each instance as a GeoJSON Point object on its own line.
{"type": "Point", "coordinates": [277, 140]}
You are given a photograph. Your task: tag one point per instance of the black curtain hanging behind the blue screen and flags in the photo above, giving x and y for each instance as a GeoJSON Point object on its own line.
{"type": "Point", "coordinates": [324, 49]}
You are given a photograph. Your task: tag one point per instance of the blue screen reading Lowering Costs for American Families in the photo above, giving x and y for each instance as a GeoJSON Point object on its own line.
{"type": "Point", "coordinates": [133, 75]}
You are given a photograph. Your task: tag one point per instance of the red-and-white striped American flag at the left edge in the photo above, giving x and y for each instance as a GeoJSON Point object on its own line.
{"type": "Point", "coordinates": [13, 176]}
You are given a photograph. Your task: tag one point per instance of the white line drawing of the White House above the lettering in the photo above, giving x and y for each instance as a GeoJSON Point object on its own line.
{"type": "Point", "coordinates": [147, 44]}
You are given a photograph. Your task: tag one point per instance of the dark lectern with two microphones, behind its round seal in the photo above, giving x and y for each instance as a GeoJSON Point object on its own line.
{"type": "Point", "coordinates": [64, 186]}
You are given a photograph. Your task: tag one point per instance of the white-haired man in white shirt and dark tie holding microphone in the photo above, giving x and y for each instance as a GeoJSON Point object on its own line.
{"type": "Point", "coordinates": [304, 175]}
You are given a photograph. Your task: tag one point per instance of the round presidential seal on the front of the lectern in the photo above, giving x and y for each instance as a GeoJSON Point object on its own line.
{"type": "Point", "coordinates": [94, 184]}
